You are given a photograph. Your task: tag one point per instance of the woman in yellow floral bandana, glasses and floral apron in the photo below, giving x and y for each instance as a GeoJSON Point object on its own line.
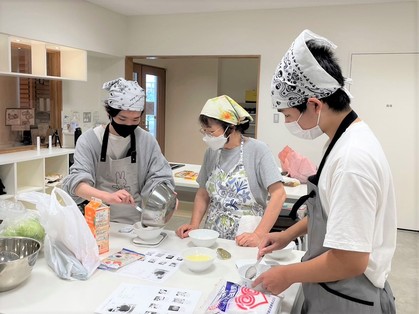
{"type": "Point", "coordinates": [236, 177]}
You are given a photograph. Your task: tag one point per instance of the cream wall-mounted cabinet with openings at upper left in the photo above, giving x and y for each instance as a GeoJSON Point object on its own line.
{"type": "Point", "coordinates": [30, 58]}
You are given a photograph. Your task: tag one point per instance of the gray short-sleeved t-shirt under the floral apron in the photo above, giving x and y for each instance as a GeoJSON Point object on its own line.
{"type": "Point", "coordinates": [260, 165]}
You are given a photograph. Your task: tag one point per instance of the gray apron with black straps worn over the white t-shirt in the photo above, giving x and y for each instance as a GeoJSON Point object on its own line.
{"type": "Point", "coordinates": [355, 295]}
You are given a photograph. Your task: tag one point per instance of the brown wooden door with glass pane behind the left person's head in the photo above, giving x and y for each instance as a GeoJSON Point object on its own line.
{"type": "Point", "coordinates": [153, 80]}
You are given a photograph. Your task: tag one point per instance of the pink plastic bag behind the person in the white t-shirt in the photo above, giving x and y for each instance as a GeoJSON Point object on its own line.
{"type": "Point", "coordinates": [297, 166]}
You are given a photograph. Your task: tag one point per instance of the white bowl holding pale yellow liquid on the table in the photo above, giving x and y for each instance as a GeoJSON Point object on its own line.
{"type": "Point", "coordinates": [198, 258]}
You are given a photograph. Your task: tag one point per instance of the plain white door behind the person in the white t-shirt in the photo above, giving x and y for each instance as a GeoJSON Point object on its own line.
{"type": "Point", "coordinates": [385, 88]}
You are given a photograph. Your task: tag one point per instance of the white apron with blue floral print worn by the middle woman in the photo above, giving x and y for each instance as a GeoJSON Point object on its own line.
{"type": "Point", "coordinates": [231, 200]}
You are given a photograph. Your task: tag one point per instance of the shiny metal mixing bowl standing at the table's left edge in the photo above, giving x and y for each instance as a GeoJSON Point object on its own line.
{"type": "Point", "coordinates": [19, 257]}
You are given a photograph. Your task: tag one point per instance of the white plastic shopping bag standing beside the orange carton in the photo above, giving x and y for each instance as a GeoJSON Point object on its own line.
{"type": "Point", "coordinates": [70, 248]}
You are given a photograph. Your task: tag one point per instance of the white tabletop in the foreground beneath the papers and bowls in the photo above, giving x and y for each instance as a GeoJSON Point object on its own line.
{"type": "Point", "coordinates": [45, 293]}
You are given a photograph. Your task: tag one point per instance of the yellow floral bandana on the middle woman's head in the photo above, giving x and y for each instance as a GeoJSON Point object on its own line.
{"type": "Point", "coordinates": [224, 108]}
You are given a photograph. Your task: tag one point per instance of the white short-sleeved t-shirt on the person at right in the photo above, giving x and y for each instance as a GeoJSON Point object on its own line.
{"type": "Point", "coordinates": [357, 194]}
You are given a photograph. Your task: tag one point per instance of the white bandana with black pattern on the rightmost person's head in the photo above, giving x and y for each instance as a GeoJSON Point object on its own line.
{"type": "Point", "coordinates": [299, 76]}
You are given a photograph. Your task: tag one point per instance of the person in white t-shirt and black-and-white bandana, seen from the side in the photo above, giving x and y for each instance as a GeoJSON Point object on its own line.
{"type": "Point", "coordinates": [351, 222]}
